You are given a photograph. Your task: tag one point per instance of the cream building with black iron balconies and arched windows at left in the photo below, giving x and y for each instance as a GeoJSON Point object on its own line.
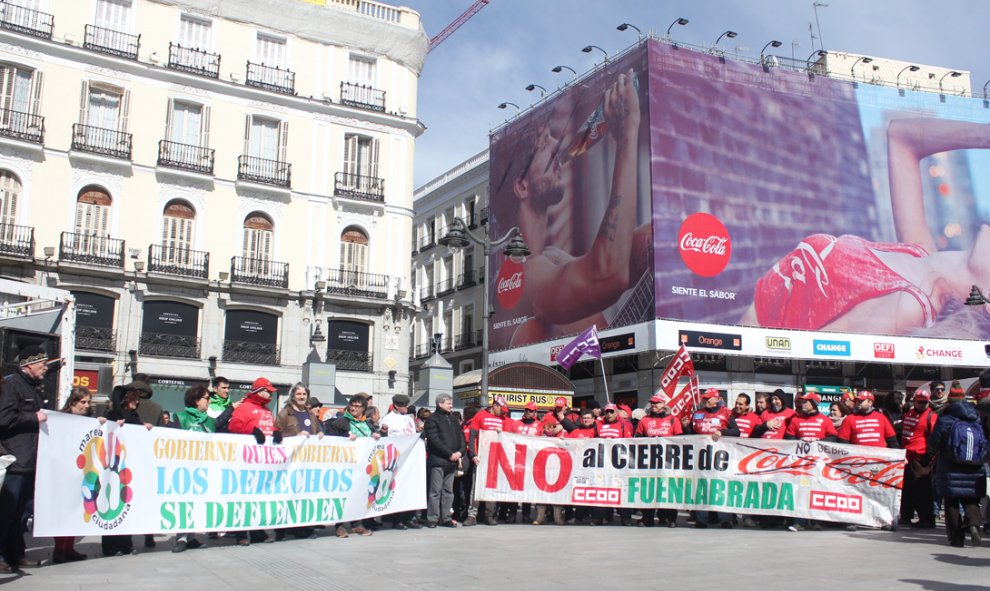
{"type": "Point", "coordinates": [217, 181]}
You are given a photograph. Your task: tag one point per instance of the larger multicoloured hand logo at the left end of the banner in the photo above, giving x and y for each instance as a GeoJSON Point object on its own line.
{"type": "Point", "coordinates": [106, 485]}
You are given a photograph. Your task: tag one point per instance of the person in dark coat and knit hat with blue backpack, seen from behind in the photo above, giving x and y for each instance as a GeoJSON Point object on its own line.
{"type": "Point", "coordinates": [956, 481]}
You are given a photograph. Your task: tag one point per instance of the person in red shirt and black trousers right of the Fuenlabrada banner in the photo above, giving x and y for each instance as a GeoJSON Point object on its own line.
{"type": "Point", "coordinates": [917, 424]}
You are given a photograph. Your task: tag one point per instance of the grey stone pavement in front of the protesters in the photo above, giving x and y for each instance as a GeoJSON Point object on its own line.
{"type": "Point", "coordinates": [545, 557]}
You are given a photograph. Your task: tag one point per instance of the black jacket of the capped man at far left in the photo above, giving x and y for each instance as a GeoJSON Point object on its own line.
{"type": "Point", "coordinates": [20, 399]}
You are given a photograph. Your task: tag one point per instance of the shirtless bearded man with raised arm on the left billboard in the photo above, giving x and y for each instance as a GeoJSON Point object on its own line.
{"type": "Point", "coordinates": [532, 181]}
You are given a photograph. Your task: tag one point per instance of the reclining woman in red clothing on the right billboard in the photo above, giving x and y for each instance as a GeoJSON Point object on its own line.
{"type": "Point", "coordinates": [850, 284]}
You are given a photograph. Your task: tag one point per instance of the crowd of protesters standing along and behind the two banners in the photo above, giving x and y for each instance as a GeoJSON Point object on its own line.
{"type": "Point", "coordinates": [936, 479]}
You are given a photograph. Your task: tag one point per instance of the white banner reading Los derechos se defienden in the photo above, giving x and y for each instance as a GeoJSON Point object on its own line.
{"type": "Point", "coordinates": [95, 479]}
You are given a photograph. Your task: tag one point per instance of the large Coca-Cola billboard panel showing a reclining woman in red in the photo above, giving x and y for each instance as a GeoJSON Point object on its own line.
{"type": "Point", "coordinates": [788, 201]}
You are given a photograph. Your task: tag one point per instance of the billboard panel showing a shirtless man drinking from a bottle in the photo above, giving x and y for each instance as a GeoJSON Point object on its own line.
{"type": "Point", "coordinates": [582, 206]}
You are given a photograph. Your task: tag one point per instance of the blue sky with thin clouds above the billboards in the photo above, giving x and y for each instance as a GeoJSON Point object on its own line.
{"type": "Point", "coordinates": [510, 44]}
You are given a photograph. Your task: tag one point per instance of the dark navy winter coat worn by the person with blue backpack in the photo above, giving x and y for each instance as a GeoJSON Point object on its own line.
{"type": "Point", "coordinates": [952, 479]}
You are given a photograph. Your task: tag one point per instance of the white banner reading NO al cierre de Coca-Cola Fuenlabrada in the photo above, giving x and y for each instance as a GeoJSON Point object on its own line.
{"type": "Point", "coordinates": [814, 480]}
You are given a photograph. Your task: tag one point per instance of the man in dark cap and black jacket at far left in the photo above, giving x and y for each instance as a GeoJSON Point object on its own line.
{"type": "Point", "coordinates": [21, 401]}
